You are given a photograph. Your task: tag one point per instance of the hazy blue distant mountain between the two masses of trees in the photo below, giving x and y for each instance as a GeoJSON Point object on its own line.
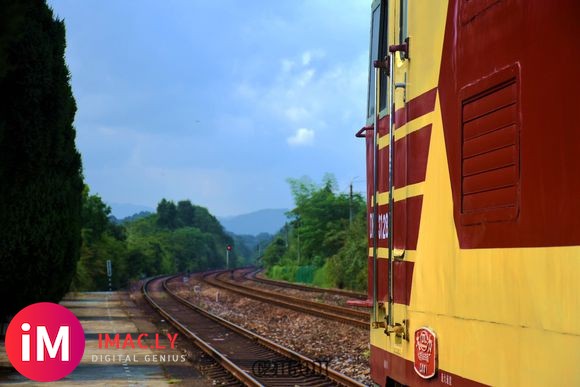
{"type": "Point", "coordinates": [254, 223]}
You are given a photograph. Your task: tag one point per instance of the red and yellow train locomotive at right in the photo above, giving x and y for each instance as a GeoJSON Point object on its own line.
{"type": "Point", "coordinates": [473, 187]}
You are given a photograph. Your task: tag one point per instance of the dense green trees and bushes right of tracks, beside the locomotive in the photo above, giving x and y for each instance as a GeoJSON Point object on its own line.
{"type": "Point", "coordinates": [325, 242]}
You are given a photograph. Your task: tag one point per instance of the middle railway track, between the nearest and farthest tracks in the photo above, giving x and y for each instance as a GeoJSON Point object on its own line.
{"type": "Point", "coordinates": [333, 312]}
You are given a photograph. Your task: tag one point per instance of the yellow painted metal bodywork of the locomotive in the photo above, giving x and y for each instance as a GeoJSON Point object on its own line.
{"type": "Point", "coordinates": [504, 317]}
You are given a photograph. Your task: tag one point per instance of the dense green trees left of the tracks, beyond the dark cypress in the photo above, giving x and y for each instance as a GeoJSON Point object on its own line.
{"type": "Point", "coordinates": [179, 237]}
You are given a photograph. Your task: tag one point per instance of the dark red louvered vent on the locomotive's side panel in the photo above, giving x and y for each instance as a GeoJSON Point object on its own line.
{"type": "Point", "coordinates": [490, 155]}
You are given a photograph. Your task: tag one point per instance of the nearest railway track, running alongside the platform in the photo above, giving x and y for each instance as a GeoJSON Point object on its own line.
{"type": "Point", "coordinates": [239, 356]}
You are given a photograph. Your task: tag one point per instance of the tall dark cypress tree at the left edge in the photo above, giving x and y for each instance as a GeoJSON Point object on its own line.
{"type": "Point", "coordinates": [40, 169]}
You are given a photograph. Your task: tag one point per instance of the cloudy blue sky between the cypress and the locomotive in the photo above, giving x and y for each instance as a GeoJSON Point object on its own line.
{"type": "Point", "coordinates": [218, 102]}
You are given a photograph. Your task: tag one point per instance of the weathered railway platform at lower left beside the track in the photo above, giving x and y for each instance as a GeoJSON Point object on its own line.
{"type": "Point", "coordinates": [115, 313]}
